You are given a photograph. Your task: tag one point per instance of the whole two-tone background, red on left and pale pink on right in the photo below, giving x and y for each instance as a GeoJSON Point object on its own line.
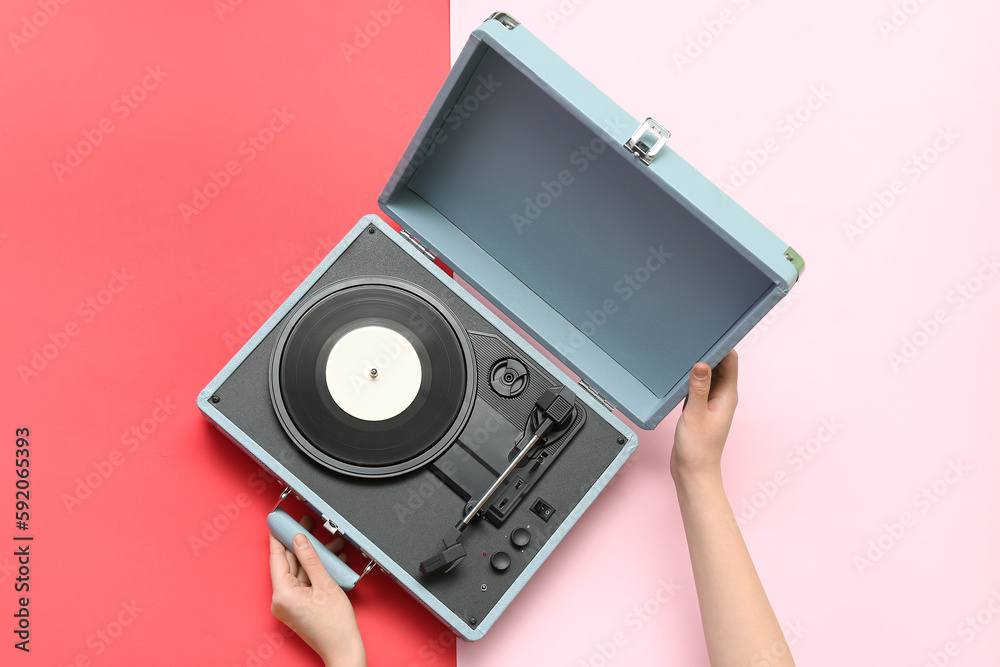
{"type": "Point", "coordinates": [169, 172]}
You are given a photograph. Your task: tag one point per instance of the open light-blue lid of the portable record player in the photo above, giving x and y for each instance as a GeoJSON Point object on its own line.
{"type": "Point", "coordinates": [582, 225]}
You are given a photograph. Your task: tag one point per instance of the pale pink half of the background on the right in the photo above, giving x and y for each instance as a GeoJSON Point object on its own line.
{"type": "Point", "coordinates": [823, 356]}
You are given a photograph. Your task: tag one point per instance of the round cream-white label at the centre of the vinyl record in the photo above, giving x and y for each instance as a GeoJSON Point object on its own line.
{"type": "Point", "coordinates": [373, 373]}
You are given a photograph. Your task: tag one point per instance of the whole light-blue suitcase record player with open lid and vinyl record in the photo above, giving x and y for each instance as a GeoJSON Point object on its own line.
{"type": "Point", "coordinates": [419, 425]}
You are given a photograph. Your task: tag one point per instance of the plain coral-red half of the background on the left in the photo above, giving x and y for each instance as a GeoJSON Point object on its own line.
{"type": "Point", "coordinates": [104, 367]}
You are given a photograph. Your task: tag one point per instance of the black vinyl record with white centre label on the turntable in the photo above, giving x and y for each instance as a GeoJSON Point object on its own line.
{"type": "Point", "coordinates": [372, 376]}
